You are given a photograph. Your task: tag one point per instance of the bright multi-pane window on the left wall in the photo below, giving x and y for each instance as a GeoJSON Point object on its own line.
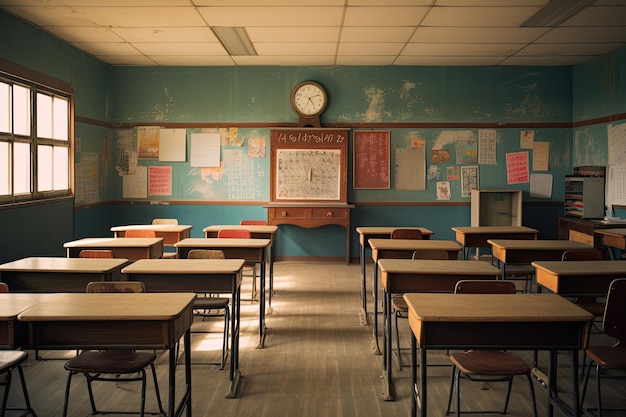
{"type": "Point", "coordinates": [35, 126]}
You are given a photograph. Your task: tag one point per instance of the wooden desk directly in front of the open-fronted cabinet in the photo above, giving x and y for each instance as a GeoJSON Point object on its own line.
{"type": "Point", "coordinates": [478, 236]}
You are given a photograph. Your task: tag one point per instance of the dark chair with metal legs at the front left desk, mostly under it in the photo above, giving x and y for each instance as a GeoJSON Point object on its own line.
{"type": "Point", "coordinates": [109, 365]}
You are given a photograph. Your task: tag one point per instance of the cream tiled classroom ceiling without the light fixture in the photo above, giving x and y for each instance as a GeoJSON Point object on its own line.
{"type": "Point", "coordinates": [333, 32]}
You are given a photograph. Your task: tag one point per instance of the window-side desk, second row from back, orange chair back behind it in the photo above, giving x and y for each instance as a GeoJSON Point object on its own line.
{"type": "Point", "coordinates": [129, 248]}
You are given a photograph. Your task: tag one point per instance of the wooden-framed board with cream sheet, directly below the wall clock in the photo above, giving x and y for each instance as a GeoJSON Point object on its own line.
{"type": "Point", "coordinates": [309, 165]}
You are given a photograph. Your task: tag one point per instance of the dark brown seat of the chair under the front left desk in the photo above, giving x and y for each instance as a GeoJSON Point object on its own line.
{"type": "Point", "coordinates": [110, 362]}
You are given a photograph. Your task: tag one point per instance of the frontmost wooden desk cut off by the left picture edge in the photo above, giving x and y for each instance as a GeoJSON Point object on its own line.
{"type": "Point", "coordinates": [14, 334]}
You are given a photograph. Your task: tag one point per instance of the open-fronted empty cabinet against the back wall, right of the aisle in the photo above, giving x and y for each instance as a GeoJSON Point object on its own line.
{"type": "Point", "coordinates": [496, 208]}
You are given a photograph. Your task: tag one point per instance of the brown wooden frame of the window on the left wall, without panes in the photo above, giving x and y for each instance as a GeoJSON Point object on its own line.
{"type": "Point", "coordinates": [38, 83]}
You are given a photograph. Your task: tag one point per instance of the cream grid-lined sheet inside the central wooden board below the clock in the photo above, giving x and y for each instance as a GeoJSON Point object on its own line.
{"type": "Point", "coordinates": [303, 174]}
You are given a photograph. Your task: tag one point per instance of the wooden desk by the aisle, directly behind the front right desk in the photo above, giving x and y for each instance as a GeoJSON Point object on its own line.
{"type": "Point", "coordinates": [420, 275]}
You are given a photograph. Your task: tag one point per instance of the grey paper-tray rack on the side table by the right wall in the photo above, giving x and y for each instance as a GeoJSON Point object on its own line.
{"type": "Point", "coordinates": [584, 197]}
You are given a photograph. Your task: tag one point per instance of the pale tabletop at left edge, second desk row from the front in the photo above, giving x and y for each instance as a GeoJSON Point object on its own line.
{"type": "Point", "coordinates": [58, 264]}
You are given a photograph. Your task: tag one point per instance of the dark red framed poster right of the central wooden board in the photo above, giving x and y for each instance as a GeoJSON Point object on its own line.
{"type": "Point", "coordinates": [371, 159]}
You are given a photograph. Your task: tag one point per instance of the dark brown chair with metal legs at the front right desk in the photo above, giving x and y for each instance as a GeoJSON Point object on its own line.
{"type": "Point", "coordinates": [487, 365]}
